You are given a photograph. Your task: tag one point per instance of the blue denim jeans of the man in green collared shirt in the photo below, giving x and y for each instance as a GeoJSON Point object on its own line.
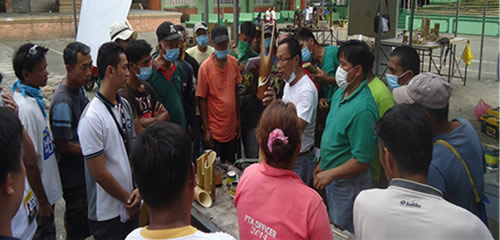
{"type": "Point", "coordinates": [341, 194]}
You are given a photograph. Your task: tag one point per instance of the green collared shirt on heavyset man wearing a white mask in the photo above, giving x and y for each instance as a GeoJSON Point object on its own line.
{"type": "Point", "coordinates": [349, 128]}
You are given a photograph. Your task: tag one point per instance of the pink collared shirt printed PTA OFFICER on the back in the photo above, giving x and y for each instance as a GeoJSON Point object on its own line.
{"type": "Point", "coordinates": [275, 203]}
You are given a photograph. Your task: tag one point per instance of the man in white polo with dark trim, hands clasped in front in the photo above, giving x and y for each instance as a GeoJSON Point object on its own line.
{"type": "Point", "coordinates": [105, 131]}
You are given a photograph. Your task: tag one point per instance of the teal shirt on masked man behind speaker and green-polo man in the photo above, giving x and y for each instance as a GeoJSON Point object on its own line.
{"type": "Point", "coordinates": [330, 65]}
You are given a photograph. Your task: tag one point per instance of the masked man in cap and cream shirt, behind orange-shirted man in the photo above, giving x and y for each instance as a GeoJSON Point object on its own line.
{"type": "Point", "coordinates": [201, 51]}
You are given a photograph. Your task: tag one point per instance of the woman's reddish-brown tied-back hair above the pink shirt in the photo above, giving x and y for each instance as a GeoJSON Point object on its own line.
{"type": "Point", "coordinates": [283, 116]}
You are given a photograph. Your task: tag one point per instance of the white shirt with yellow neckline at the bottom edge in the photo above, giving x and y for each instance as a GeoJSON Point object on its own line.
{"type": "Point", "coordinates": [183, 233]}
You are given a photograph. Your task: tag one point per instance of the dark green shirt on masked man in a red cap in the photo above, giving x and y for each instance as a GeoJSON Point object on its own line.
{"type": "Point", "coordinates": [169, 91]}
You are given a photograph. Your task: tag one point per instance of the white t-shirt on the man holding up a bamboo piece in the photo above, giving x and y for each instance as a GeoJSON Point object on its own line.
{"type": "Point", "coordinates": [304, 95]}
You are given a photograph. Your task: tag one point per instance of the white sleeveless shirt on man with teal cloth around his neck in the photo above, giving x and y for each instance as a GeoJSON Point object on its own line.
{"type": "Point", "coordinates": [35, 124]}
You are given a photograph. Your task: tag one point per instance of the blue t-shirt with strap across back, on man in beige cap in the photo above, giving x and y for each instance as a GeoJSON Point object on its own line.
{"type": "Point", "coordinates": [447, 173]}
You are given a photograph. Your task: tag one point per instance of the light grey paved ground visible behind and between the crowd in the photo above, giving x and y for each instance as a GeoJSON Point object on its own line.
{"type": "Point", "coordinates": [462, 102]}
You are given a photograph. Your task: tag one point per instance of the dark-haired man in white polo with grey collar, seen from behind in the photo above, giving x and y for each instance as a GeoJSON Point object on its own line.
{"type": "Point", "coordinates": [409, 208]}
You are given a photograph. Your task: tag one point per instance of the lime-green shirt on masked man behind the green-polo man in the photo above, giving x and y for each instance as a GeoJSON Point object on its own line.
{"type": "Point", "coordinates": [384, 100]}
